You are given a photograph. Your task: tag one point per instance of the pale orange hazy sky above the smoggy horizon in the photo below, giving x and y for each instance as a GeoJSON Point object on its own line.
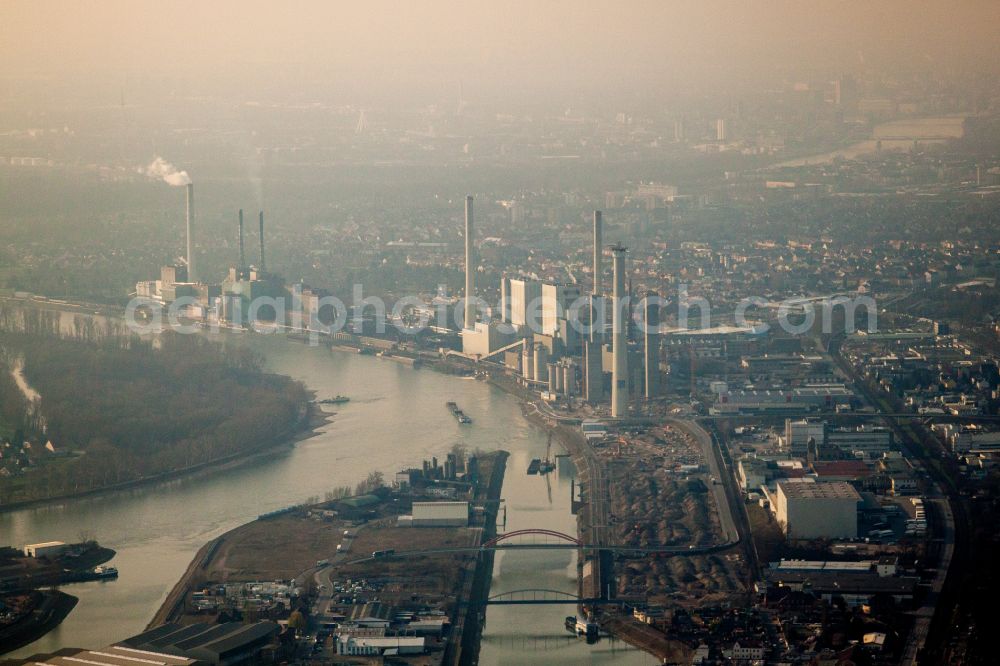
{"type": "Point", "coordinates": [379, 47]}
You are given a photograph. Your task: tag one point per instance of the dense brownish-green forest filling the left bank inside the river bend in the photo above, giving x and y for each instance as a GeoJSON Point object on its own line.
{"type": "Point", "coordinates": [114, 408]}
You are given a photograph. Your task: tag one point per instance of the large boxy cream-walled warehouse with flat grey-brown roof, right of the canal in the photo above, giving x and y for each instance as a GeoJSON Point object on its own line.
{"type": "Point", "coordinates": [817, 510]}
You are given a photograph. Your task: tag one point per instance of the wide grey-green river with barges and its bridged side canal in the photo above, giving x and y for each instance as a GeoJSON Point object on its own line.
{"type": "Point", "coordinates": [395, 419]}
